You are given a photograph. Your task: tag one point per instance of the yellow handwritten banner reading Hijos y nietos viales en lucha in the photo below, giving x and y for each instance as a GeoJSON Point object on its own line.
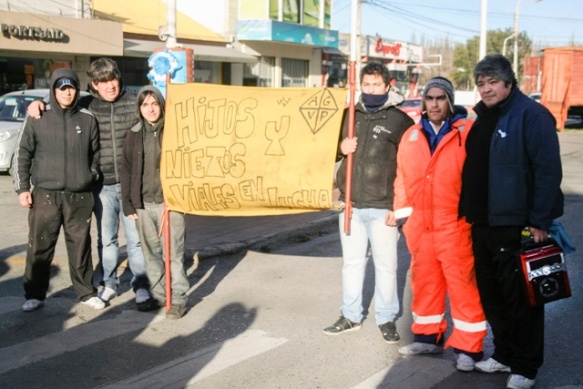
{"type": "Point", "coordinates": [246, 151]}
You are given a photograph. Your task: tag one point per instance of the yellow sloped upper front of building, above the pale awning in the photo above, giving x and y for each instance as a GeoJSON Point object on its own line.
{"type": "Point", "coordinates": [145, 17]}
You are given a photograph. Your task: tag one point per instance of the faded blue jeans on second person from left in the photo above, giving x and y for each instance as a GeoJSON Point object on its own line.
{"type": "Point", "coordinates": [108, 211]}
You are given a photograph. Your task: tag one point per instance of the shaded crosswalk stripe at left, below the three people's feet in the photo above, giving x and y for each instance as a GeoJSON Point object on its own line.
{"type": "Point", "coordinates": [51, 345]}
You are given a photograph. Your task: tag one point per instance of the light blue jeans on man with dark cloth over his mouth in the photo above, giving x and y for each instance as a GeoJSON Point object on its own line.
{"type": "Point", "coordinates": [368, 224]}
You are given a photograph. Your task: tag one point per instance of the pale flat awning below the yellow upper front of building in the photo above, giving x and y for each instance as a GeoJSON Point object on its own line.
{"type": "Point", "coordinates": [143, 48]}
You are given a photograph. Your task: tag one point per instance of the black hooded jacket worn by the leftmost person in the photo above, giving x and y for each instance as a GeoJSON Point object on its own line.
{"type": "Point", "coordinates": [59, 151]}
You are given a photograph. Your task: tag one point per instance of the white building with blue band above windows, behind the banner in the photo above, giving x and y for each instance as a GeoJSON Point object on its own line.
{"type": "Point", "coordinates": [287, 37]}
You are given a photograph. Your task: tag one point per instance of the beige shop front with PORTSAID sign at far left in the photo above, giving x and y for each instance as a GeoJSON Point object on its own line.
{"type": "Point", "coordinates": [32, 46]}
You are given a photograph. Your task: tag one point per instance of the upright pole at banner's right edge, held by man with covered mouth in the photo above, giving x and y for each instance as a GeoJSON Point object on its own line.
{"type": "Point", "coordinates": [351, 117]}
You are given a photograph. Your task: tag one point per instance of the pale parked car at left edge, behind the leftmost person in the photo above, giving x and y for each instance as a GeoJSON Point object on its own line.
{"type": "Point", "coordinates": [13, 106]}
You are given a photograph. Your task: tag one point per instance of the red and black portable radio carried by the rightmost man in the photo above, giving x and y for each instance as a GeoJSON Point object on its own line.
{"type": "Point", "coordinates": [545, 272]}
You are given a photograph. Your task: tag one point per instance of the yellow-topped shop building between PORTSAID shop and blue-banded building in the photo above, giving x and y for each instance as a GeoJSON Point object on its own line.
{"type": "Point", "coordinates": [144, 23]}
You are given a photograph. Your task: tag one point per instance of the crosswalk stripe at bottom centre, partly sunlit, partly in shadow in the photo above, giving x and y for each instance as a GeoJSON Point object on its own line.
{"type": "Point", "coordinates": [207, 362]}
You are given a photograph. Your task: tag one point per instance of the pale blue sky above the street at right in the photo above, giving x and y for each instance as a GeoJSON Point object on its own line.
{"type": "Point", "coordinates": [549, 23]}
